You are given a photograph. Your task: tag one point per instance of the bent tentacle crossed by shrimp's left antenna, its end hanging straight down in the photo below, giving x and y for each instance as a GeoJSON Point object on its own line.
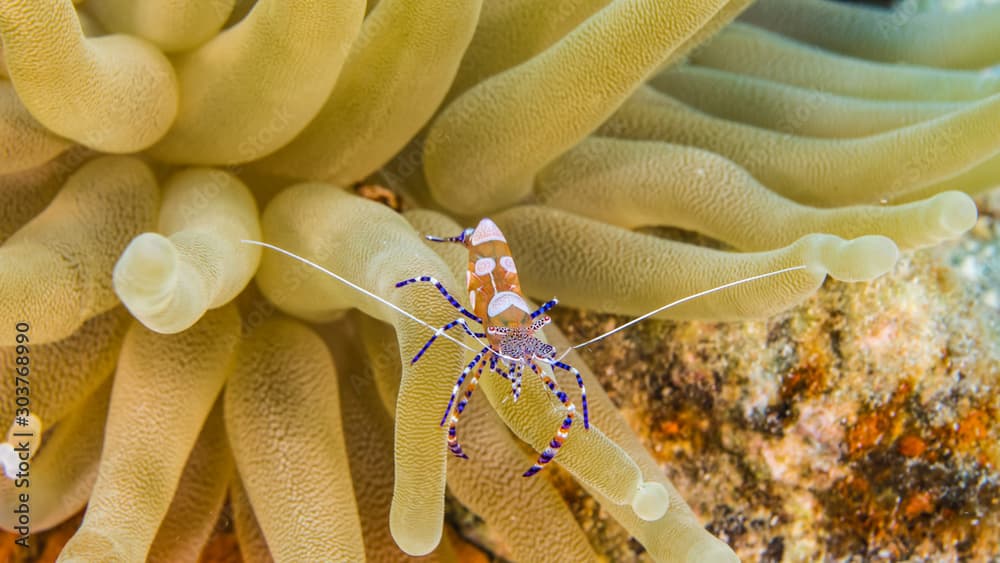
{"type": "Point", "coordinates": [370, 245]}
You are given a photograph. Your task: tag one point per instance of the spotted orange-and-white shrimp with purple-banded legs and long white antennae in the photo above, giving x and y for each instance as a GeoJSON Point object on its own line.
{"type": "Point", "coordinates": [510, 326]}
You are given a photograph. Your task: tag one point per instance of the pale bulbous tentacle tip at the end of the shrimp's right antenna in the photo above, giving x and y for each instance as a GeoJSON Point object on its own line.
{"type": "Point", "coordinates": [861, 259]}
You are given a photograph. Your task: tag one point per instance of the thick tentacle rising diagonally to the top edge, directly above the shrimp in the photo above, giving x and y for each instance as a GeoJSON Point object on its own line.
{"type": "Point", "coordinates": [497, 135]}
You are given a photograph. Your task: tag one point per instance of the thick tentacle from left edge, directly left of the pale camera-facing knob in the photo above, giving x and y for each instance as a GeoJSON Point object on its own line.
{"type": "Point", "coordinates": [55, 272]}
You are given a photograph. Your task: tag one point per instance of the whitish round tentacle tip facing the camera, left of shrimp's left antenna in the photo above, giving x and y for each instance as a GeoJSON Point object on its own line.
{"type": "Point", "coordinates": [146, 274]}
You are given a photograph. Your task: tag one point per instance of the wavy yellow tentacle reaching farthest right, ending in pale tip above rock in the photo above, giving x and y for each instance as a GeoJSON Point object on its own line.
{"type": "Point", "coordinates": [644, 183]}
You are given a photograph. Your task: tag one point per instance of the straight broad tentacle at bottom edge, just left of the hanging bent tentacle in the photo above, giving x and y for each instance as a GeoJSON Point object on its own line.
{"type": "Point", "coordinates": [283, 420]}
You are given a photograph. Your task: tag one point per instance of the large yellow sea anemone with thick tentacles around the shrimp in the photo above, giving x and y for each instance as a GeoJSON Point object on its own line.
{"type": "Point", "coordinates": [173, 365]}
